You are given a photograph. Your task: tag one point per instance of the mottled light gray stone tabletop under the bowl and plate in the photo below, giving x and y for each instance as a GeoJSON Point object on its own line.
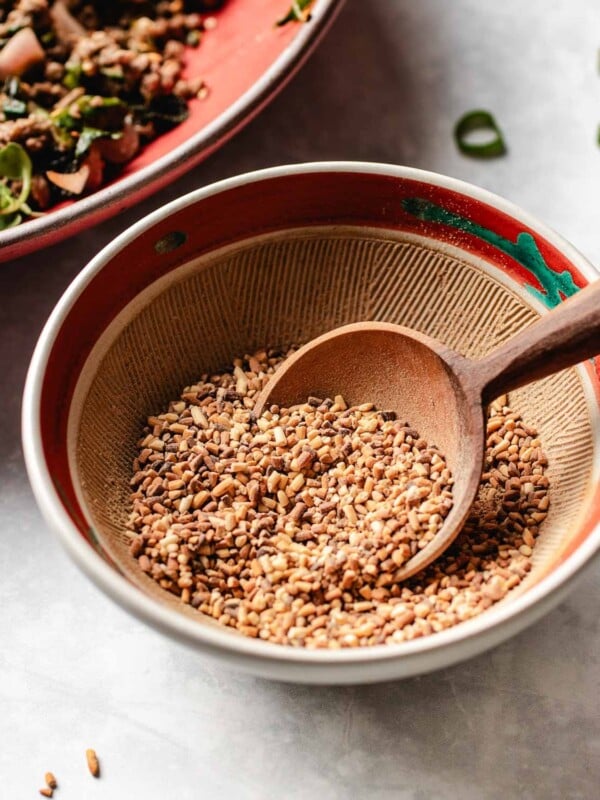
{"type": "Point", "coordinates": [519, 722]}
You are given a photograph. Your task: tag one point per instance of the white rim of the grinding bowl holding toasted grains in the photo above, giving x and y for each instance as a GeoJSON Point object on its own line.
{"type": "Point", "coordinates": [212, 638]}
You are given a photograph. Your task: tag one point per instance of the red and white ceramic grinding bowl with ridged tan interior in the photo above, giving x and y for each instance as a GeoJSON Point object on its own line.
{"type": "Point", "coordinates": [281, 256]}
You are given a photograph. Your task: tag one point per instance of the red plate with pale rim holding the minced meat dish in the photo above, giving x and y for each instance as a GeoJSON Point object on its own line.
{"type": "Point", "coordinates": [244, 61]}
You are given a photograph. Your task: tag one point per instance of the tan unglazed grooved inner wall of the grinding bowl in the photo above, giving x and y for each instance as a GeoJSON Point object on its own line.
{"type": "Point", "coordinates": [288, 288]}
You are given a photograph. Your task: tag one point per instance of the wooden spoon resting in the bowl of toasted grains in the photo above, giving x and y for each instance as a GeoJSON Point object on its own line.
{"type": "Point", "coordinates": [439, 392]}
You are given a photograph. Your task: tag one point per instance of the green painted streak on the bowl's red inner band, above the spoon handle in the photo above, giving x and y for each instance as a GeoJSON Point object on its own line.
{"type": "Point", "coordinates": [556, 285]}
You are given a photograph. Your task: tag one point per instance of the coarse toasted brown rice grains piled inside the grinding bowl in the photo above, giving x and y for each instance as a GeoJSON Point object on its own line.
{"type": "Point", "coordinates": [290, 528]}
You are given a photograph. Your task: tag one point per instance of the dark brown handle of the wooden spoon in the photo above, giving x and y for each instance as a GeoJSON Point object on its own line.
{"type": "Point", "coordinates": [567, 335]}
